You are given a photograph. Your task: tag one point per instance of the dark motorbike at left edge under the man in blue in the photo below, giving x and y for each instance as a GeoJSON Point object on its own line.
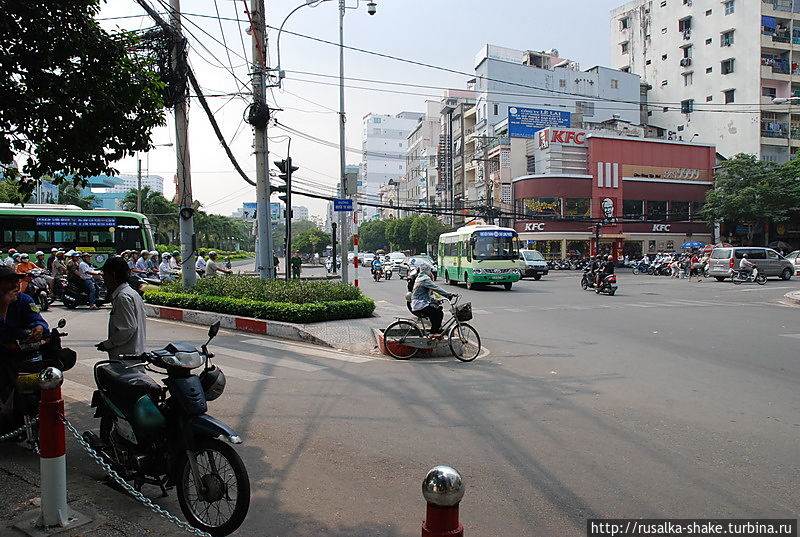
{"type": "Point", "coordinates": [19, 389]}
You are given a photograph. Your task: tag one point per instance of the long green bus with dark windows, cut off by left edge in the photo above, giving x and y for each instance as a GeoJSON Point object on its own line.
{"type": "Point", "coordinates": [99, 231]}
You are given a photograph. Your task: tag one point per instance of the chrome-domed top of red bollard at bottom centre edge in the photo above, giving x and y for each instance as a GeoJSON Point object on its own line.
{"type": "Point", "coordinates": [443, 489]}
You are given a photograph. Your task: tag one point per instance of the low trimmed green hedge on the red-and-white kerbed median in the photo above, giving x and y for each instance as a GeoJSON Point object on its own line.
{"type": "Point", "coordinates": [310, 312]}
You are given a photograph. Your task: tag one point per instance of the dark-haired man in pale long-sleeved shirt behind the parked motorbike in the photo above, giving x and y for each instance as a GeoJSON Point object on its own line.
{"type": "Point", "coordinates": [126, 324]}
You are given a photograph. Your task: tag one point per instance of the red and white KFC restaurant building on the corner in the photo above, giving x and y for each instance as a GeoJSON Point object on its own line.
{"type": "Point", "coordinates": [647, 193]}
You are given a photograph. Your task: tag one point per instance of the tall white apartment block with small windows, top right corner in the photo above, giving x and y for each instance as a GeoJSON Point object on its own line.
{"type": "Point", "coordinates": [714, 68]}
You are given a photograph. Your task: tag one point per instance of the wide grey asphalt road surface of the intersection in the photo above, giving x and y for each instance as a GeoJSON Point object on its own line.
{"type": "Point", "coordinates": [670, 399]}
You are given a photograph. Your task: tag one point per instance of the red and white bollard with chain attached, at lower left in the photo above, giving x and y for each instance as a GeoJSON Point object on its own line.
{"type": "Point", "coordinates": [52, 451]}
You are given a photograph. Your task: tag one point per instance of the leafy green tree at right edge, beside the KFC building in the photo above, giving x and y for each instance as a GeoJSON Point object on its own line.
{"type": "Point", "coordinates": [753, 192]}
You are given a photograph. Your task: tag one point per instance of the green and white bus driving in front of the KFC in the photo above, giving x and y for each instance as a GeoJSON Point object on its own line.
{"type": "Point", "coordinates": [480, 254]}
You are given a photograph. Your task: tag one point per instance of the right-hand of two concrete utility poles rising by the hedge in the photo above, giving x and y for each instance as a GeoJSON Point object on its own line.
{"type": "Point", "coordinates": [266, 266]}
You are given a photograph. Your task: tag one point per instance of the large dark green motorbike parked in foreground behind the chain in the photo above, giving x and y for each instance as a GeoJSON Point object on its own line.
{"type": "Point", "coordinates": [163, 436]}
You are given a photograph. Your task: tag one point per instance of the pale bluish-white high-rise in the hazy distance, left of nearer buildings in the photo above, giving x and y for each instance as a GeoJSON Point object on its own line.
{"type": "Point", "coordinates": [384, 144]}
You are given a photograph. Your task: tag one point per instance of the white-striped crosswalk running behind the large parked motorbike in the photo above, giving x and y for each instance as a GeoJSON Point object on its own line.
{"type": "Point", "coordinates": [264, 359]}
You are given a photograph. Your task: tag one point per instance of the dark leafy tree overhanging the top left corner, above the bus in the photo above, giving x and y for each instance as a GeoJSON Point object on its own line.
{"type": "Point", "coordinates": [73, 98]}
